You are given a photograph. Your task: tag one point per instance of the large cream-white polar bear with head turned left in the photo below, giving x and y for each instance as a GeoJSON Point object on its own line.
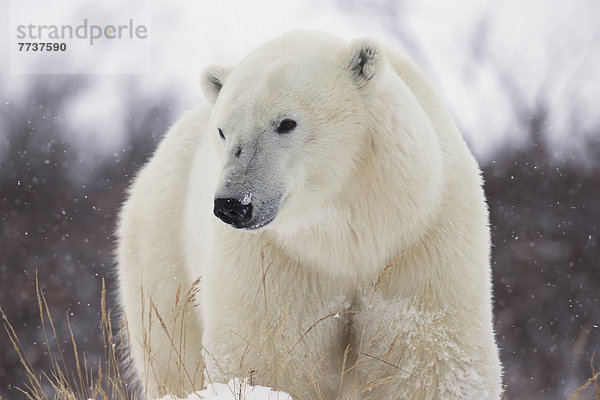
{"type": "Point", "coordinates": [319, 226]}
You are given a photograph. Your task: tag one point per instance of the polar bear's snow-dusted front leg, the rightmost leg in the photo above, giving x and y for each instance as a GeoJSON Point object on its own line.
{"type": "Point", "coordinates": [411, 350]}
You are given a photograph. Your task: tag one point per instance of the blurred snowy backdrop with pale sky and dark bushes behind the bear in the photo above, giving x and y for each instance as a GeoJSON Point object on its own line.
{"type": "Point", "coordinates": [521, 78]}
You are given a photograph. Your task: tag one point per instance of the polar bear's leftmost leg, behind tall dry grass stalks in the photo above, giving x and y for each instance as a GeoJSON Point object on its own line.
{"type": "Point", "coordinates": [163, 327]}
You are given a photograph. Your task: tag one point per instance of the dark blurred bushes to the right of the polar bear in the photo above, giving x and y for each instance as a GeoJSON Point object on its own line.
{"type": "Point", "coordinates": [545, 220]}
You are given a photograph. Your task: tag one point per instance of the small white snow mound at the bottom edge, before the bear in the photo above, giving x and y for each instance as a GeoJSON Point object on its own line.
{"type": "Point", "coordinates": [234, 390]}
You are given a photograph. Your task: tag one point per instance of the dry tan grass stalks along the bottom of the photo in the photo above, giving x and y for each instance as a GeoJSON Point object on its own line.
{"type": "Point", "coordinates": [109, 380]}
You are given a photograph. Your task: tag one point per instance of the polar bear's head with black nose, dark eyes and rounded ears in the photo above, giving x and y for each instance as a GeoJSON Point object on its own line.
{"type": "Point", "coordinates": [290, 123]}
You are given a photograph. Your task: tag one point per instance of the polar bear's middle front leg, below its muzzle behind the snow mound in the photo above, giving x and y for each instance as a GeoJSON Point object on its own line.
{"type": "Point", "coordinates": [287, 331]}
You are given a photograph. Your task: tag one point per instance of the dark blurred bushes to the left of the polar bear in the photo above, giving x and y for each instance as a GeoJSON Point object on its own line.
{"type": "Point", "coordinates": [57, 217]}
